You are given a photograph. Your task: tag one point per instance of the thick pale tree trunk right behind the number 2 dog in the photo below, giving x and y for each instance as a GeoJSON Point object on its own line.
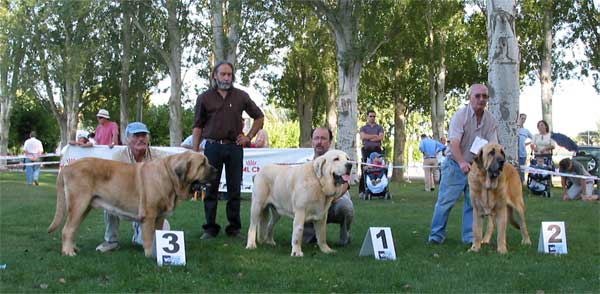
{"type": "Point", "coordinates": [503, 74]}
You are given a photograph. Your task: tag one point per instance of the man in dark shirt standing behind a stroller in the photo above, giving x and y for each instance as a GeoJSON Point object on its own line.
{"type": "Point", "coordinates": [371, 135]}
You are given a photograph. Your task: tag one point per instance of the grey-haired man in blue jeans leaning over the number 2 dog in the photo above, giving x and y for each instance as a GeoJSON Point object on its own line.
{"type": "Point", "coordinates": [468, 124]}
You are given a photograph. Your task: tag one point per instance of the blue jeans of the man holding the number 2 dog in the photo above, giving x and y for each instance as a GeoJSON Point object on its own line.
{"type": "Point", "coordinates": [454, 182]}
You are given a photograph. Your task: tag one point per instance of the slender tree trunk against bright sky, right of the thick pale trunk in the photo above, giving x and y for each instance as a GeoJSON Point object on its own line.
{"type": "Point", "coordinates": [546, 72]}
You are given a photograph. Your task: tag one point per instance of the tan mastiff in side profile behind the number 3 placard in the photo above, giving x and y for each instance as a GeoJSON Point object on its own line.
{"type": "Point", "coordinates": [145, 192]}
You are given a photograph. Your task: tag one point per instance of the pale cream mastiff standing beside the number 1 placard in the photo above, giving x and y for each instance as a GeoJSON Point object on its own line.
{"type": "Point", "coordinates": [302, 192]}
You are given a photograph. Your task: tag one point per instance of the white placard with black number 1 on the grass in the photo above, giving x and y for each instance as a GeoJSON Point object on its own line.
{"type": "Point", "coordinates": [379, 243]}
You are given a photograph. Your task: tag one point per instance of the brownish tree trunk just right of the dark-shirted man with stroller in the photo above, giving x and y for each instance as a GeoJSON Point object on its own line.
{"type": "Point", "coordinates": [399, 138]}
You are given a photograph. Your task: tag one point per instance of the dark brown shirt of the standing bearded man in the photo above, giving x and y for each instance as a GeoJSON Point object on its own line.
{"type": "Point", "coordinates": [221, 118]}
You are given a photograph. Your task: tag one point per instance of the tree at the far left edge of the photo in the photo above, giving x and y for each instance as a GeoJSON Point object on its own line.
{"type": "Point", "coordinates": [13, 40]}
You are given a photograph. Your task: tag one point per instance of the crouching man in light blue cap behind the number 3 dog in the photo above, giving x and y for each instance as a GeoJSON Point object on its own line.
{"type": "Point", "coordinates": [138, 150]}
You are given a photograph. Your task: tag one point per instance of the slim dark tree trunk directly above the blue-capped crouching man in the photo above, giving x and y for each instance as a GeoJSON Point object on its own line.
{"type": "Point", "coordinates": [125, 63]}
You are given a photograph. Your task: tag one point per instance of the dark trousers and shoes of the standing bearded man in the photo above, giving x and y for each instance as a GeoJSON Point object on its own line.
{"type": "Point", "coordinates": [230, 155]}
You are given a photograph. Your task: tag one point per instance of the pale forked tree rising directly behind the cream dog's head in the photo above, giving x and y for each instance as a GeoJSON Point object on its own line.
{"type": "Point", "coordinates": [360, 28]}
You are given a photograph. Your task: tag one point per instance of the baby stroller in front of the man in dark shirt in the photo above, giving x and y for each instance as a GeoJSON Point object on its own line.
{"type": "Point", "coordinates": [375, 178]}
